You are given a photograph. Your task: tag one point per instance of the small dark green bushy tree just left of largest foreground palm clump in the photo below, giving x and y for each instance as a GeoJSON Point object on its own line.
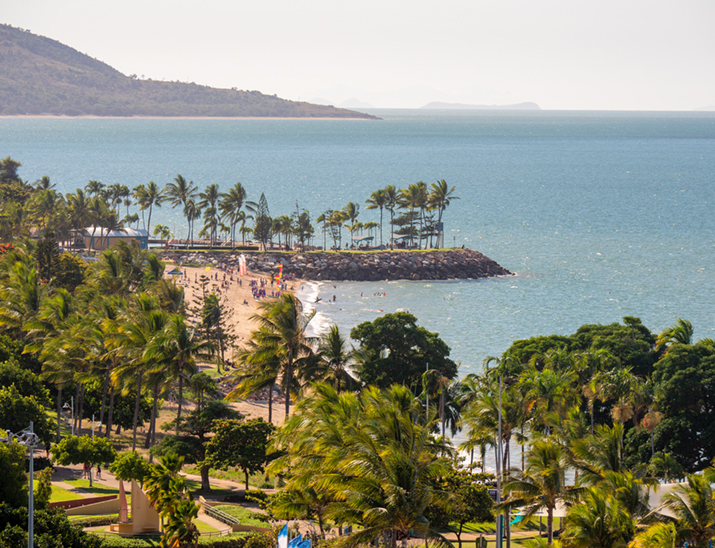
{"type": "Point", "coordinates": [241, 444]}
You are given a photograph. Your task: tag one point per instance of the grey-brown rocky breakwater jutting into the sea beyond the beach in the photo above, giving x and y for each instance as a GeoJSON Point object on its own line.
{"type": "Point", "coordinates": [364, 267]}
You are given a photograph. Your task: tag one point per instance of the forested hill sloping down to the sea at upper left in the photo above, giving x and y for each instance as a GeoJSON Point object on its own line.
{"type": "Point", "coordinates": [39, 75]}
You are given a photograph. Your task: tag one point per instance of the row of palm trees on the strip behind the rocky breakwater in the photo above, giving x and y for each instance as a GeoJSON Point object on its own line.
{"type": "Point", "coordinates": [223, 214]}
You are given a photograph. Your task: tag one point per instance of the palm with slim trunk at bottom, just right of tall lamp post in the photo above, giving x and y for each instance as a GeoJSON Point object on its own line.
{"type": "Point", "coordinates": [541, 485]}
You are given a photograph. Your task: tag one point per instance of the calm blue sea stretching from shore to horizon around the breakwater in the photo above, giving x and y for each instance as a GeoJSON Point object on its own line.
{"type": "Point", "coordinates": [600, 215]}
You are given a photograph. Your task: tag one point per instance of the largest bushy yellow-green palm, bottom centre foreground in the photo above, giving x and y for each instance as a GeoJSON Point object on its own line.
{"type": "Point", "coordinates": [374, 454]}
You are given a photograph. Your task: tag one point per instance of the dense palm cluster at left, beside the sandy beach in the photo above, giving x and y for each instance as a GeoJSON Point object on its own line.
{"type": "Point", "coordinates": [125, 328]}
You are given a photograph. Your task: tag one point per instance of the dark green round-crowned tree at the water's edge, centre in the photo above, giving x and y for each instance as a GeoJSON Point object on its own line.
{"type": "Point", "coordinates": [396, 350]}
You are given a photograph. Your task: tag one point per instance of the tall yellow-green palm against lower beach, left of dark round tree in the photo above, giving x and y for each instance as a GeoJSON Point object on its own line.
{"type": "Point", "coordinates": [284, 325]}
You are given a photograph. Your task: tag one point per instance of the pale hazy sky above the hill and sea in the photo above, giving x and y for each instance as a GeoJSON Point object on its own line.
{"type": "Point", "coordinates": [561, 54]}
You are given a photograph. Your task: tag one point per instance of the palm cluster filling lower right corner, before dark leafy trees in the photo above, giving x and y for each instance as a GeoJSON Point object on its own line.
{"type": "Point", "coordinates": [548, 405]}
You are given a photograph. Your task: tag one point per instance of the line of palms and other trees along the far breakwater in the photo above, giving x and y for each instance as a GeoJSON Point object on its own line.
{"type": "Point", "coordinates": [39, 209]}
